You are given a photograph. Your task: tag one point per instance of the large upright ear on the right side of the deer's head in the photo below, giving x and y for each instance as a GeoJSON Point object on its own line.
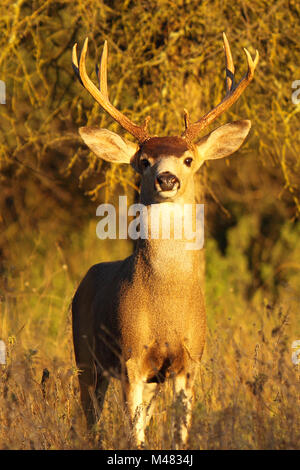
{"type": "Point", "coordinates": [223, 141]}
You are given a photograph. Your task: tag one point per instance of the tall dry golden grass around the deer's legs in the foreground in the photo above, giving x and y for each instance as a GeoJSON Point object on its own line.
{"type": "Point", "coordinates": [247, 397]}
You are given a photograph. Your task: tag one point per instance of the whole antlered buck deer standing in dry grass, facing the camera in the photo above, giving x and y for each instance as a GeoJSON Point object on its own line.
{"type": "Point", "coordinates": [142, 319]}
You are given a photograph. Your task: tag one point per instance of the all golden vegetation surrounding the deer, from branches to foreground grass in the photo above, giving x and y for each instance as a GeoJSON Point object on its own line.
{"type": "Point", "coordinates": [163, 56]}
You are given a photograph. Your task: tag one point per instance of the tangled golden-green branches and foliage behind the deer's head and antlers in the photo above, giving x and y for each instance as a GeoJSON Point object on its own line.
{"type": "Point", "coordinates": [163, 57]}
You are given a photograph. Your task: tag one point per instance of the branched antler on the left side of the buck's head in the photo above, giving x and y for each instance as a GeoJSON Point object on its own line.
{"type": "Point", "coordinates": [101, 94]}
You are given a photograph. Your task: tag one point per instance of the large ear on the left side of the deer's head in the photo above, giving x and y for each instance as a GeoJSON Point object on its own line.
{"type": "Point", "coordinates": [108, 145]}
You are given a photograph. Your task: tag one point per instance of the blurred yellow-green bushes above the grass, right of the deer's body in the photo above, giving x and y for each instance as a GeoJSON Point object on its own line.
{"type": "Point", "coordinates": [252, 267]}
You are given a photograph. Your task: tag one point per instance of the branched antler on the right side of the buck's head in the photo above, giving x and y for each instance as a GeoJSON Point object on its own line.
{"type": "Point", "coordinates": [233, 92]}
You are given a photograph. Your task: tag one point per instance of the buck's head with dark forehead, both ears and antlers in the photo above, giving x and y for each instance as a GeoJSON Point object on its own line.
{"type": "Point", "coordinates": [166, 164]}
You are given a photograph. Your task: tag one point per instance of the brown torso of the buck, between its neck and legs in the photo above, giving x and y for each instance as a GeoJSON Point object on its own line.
{"type": "Point", "coordinates": [142, 306]}
